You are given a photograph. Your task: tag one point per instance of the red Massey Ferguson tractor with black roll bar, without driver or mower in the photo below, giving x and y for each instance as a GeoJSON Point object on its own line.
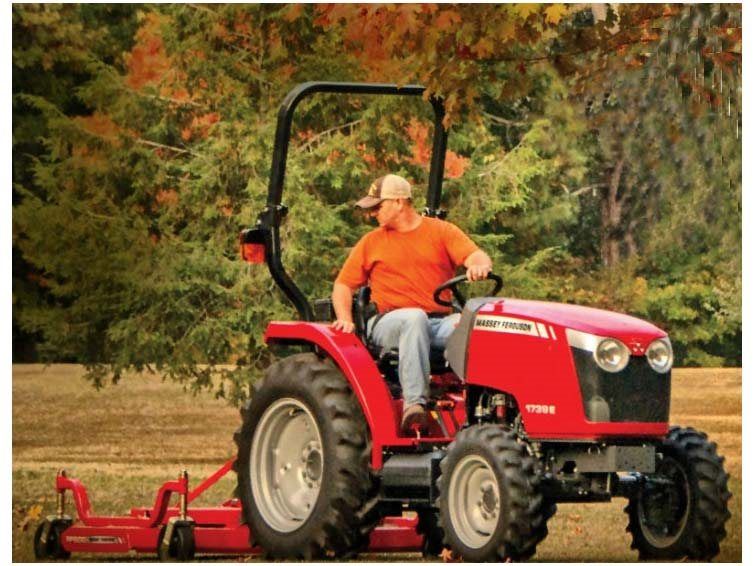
{"type": "Point", "coordinates": [533, 403]}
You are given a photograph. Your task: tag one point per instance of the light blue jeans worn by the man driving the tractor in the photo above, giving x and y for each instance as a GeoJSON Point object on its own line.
{"type": "Point", "coordinates": [413, 333]}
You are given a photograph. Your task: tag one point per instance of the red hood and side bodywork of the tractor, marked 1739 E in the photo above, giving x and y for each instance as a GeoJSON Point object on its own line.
{"type": "Point", "coordinates": [538, 369]}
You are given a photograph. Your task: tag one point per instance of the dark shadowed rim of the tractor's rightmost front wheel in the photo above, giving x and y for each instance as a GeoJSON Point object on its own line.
{"type": "Point", "coordinates": [664, 508]}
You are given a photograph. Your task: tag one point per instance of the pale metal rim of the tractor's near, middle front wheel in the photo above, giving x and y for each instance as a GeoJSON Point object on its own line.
{"type": "Point", "coordinates": [474, 501]}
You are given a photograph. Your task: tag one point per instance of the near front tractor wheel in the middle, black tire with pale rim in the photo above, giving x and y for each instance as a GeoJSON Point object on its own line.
{"type": "Point", "coordinates": [516, 517]}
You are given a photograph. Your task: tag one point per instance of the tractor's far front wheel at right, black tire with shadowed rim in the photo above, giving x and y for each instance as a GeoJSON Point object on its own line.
{"type": "Point", "coordinates": [687, 517]}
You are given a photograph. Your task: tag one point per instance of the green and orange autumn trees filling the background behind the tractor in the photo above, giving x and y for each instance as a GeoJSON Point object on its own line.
{"type": "Point", "coordinates": [594, 152]}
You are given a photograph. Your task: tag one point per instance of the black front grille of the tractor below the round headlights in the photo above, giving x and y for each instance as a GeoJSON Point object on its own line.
{"type": "Point", "coordinates": [636, 394]}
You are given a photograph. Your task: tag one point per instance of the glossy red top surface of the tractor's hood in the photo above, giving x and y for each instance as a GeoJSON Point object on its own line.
{"type": "Point", "coordinates": [630, 330]}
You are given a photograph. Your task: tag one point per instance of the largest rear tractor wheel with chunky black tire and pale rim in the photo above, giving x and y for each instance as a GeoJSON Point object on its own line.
{"type": "Point", "coordinates": [342, 513]}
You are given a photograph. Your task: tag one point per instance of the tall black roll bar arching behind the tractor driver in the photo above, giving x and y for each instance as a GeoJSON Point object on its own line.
{"type": "Point", "coordinates": [269, 220]}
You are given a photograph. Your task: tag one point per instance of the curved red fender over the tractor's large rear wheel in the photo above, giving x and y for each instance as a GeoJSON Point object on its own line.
{"type": "Point", "coordinates": [350, 355]}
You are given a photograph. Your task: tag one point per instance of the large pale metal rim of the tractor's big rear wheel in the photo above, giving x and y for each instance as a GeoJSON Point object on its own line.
{"type": "Point", "coordinates": [286, 464]}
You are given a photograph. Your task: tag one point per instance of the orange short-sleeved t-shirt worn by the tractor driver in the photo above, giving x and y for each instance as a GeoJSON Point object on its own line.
{"type": "Point", "coordinates": [404, 268]}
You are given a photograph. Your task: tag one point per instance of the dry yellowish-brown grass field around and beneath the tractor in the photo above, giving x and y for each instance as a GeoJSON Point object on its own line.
{"type": "Point", "coordinates": [124, 441]}
